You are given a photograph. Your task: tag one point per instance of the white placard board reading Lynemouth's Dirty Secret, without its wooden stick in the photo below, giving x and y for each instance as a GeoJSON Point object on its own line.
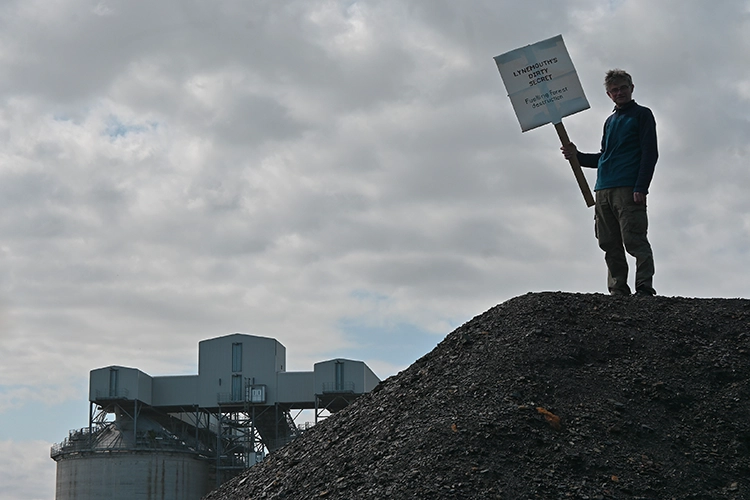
{"type": "Point", "coordinates": [542, 83]}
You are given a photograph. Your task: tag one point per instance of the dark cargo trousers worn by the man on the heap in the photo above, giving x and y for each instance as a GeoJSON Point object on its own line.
{"type": "Point", "coordinates": [622, 225]}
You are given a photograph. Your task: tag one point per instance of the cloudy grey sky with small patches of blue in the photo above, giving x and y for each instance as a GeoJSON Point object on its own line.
{"type": "Point", "coordinates": [347, 177]}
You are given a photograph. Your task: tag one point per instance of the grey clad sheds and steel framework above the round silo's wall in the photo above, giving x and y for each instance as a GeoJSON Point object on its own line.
{"type": "Point", "coordinates": [232, 432]}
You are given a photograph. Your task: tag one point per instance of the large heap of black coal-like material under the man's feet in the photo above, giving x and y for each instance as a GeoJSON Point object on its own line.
{"type": "Point", "coordinates": [547, 395]}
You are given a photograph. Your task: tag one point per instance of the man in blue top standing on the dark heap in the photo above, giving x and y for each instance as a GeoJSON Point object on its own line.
{"type": "Point", "coordinates": [625, 166]}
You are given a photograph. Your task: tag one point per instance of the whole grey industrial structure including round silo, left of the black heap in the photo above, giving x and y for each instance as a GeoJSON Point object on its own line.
{"type": "Point", "coordinates": [178, 437]}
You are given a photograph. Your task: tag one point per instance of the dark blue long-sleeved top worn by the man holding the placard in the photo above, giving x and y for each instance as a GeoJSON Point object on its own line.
{"type": "Point", "coordinates": [629, 153]}
